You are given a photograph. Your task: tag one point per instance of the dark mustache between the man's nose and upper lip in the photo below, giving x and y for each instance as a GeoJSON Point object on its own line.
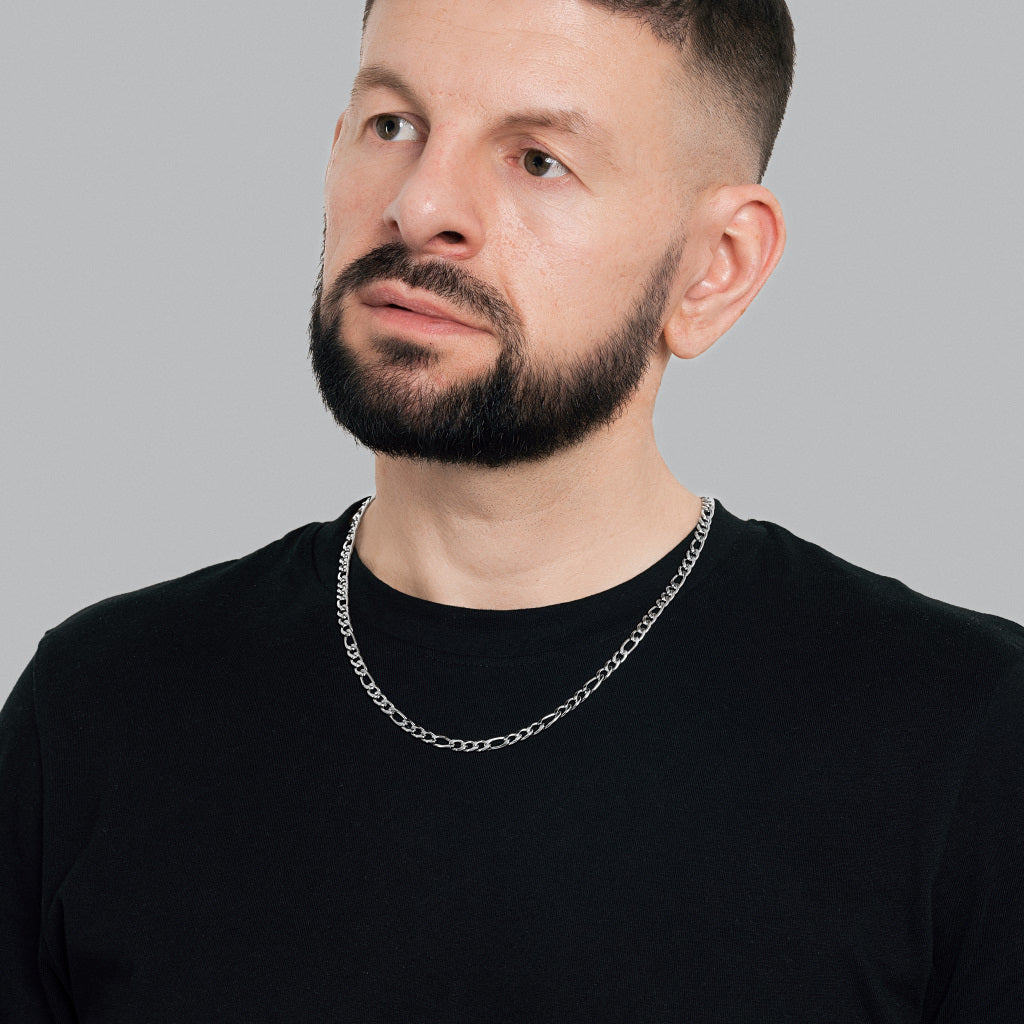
{"type": "Point", "coordinates": [448, 281]}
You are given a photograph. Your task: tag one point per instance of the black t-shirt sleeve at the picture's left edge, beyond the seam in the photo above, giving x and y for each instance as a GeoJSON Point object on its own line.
{"type": "Point", "coordinates": [26, 986]}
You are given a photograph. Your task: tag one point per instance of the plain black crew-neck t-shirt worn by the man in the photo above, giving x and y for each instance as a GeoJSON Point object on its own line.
{"type": "Point", "coordinates": [800, 799]}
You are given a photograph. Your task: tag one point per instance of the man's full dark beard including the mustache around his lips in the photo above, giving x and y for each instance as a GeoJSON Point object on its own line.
{"type": "Point", "coordinates": [519, 411]}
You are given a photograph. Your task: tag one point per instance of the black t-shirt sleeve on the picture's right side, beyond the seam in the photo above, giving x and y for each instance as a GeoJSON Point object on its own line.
{"type": "Point", "coordinates": [978, 955]}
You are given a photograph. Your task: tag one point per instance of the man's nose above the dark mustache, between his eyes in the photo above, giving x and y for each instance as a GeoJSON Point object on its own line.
{"type": "Point", "coordinates": [437, 211]}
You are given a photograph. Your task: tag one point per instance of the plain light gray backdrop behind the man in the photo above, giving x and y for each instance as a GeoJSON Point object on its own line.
{"type": "Point", "coordinates": [161, 215]}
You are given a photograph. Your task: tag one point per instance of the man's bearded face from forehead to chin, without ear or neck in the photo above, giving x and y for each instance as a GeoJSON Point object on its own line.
{"type": "Point", "coordinates": [503, 231]}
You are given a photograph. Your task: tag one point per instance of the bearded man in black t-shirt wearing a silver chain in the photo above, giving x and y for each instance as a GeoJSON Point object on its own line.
{"type": "Point", "coordinates": [790, 791]}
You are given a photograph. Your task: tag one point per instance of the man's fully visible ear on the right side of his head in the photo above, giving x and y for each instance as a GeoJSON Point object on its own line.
{"type": "Point", "coordinates": [741, 237]}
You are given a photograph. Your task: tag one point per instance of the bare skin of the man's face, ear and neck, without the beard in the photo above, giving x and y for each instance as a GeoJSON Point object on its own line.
{"type": "Point", "coordinates": [482, 87]}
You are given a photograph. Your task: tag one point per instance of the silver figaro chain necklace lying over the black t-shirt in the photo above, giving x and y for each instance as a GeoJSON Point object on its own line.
{"type": "Point", "coordinates": [497, 743]}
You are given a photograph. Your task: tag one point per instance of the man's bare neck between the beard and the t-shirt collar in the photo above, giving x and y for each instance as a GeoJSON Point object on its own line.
{"type": "Point", "coordinates": [579, 523]}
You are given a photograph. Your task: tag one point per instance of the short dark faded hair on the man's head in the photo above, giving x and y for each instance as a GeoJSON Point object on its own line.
{"type": "Point", "coordinates": [743, 52]}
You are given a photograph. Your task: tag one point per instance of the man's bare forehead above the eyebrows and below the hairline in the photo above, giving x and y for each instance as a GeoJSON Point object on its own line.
{"type": "Point", "coordinates": [490, 56]}
